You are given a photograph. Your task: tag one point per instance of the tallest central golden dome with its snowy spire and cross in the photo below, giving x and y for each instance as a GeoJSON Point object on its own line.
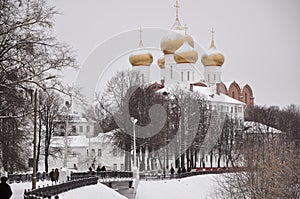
{"type": "Point", "coordinates": [175, 37]}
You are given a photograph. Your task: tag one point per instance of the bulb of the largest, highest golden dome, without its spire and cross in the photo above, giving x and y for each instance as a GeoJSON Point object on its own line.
{"type": "Point", "coordinates": [173, 40]}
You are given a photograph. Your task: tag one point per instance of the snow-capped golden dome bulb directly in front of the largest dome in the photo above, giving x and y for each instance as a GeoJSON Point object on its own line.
{"type": "Point", "coordinates": [185, 54]}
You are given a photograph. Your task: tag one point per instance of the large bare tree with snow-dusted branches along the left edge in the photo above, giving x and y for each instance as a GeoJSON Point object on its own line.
{"type": "Point", "coordinates": [29, 56]}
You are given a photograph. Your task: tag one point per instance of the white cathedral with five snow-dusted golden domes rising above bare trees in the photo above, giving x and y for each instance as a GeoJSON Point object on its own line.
{"type": "Point", "coordinates": [179, 67]}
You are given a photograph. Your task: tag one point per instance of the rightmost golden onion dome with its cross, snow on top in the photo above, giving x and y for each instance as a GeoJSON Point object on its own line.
{"type": "Point", "coordinates": [213, 57]}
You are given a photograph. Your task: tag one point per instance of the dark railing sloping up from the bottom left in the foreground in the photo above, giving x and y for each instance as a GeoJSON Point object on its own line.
{"type": "Point", "coordinates": [53, 191]}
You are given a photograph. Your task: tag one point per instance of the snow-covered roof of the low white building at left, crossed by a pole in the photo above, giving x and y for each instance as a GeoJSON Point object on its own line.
{"type": "Point", "coordinates": [73, 141]}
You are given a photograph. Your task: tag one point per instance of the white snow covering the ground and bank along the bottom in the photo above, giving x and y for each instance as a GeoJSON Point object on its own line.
{"type": "Point", "coordinates": [196, 187]}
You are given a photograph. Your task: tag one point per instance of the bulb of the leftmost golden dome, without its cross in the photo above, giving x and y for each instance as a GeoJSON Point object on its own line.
{"type": "Point", "coordinates": [143, 58]}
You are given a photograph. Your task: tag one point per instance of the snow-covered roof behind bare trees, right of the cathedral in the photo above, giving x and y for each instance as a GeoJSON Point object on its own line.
{"type": "Point", "coordinates": [256, 127]}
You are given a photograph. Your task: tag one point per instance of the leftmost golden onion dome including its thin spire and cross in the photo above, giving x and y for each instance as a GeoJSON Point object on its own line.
{"type": "Point", "coordinates": [141, 57]}
